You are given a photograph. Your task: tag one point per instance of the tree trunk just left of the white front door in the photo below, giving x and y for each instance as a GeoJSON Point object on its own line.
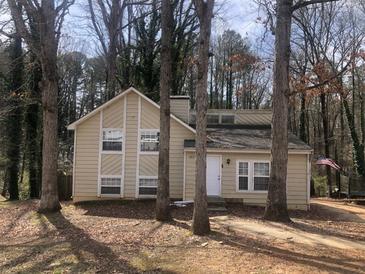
{"type": "Point", "coordinates": [201, 224]}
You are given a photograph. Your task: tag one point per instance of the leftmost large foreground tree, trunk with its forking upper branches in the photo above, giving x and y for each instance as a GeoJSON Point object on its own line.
{"type": "Point", "coordinates": [48, 21]}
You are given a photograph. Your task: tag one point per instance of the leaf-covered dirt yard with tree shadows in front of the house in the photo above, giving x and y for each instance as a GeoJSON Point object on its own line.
{"type": "Point", "coordinates": [122, 237]}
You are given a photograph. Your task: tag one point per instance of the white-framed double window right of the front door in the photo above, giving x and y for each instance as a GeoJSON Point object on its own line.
{"type": "Point", "coordinates": [253, 176]}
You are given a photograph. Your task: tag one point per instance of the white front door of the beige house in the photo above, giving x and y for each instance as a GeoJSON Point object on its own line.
{"type": "Point", "coordinates": [213, 175]}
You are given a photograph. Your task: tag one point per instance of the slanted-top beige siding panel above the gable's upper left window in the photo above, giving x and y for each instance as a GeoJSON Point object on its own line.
{"type": "Point", "coordinates": [113, 115]}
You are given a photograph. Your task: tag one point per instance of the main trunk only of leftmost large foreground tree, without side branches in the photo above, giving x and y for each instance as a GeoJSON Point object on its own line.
{"type": "Point", "coordinates": [49, 84]}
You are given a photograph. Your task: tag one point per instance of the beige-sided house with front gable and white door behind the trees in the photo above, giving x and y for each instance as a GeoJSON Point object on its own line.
{"type": "Point", "coordinates": [116, 153]}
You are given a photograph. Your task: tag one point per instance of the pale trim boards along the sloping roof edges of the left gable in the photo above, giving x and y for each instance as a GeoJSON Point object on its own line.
{"type": "Point", "coordinates": [73, 125]}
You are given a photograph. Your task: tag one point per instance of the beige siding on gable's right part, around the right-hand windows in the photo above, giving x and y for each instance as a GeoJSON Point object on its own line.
{"type": "Point", "coordinates": [149, 163]}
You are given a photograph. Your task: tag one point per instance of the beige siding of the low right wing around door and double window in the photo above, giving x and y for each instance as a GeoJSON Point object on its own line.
{"type": "Point", "coordinates": [297, 179]}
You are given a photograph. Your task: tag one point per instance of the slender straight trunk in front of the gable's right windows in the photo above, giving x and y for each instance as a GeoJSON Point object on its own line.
{"type": "Point", "coordinates": [163, 195]}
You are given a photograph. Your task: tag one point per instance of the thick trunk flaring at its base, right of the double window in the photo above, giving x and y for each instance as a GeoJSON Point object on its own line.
{"type": "Point", "coordinates": [276, 206]}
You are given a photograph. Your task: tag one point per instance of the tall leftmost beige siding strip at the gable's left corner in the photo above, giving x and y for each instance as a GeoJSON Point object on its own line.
{"type": "Point", "coordinates": [87, 156]}
